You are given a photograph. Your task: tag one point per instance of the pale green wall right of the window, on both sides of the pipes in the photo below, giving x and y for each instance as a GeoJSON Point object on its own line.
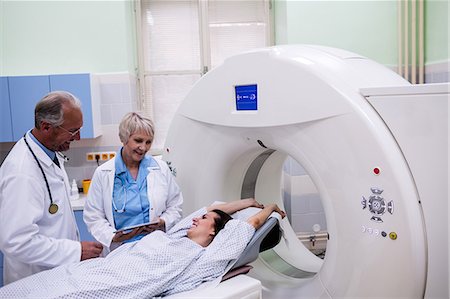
{"type": "Point", "coordinates": [366, 27]}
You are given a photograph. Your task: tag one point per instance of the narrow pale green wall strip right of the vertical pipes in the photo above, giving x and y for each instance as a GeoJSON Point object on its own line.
{"type": "Point", "coordinates": [437, 34]}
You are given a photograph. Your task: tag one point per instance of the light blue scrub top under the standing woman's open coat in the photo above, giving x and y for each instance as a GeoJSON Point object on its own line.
{"type": "Point", "coordinates": [130, 196]}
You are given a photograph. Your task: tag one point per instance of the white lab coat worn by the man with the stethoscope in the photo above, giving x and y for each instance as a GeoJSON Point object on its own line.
{"type": "Point", "coordinates": [32, 239]}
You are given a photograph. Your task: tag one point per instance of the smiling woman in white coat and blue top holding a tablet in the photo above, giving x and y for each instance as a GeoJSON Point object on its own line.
{"type": "Point", "coordinates": [132, 189]}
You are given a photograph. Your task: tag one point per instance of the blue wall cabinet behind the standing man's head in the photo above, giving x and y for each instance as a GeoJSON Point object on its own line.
{"type": "Point", "coordinates": [19, 95]}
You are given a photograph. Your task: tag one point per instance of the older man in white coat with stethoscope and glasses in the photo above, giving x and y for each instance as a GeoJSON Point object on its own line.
{"type": "Point", "coordinates": [37, 225]}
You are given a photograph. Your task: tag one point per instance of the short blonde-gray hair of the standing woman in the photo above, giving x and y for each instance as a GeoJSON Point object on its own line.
{"type": "Point", "coordinates": [134, 122]}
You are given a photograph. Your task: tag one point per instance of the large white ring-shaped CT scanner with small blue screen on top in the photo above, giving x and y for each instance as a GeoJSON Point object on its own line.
{"type": "Point", "coordinates": [375, 146]}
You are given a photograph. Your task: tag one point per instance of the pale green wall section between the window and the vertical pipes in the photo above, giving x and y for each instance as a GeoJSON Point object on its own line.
{"type": "Point", "coordinates": [364, 27]}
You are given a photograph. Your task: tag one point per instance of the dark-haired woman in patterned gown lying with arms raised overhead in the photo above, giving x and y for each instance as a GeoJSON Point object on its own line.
{"type": "Point", "coordinates": [160, 264]}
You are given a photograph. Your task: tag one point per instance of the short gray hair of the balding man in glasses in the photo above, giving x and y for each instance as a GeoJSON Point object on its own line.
{"type": "Point", "coordinates": [50, 108]}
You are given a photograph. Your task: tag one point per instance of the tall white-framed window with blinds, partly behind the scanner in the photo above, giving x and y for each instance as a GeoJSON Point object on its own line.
{"type": "Point", "coordinates": [182, 40]}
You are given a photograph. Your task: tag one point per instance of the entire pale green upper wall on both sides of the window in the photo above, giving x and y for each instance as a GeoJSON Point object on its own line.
{"type": "Point", "coordinates": [39, 37]}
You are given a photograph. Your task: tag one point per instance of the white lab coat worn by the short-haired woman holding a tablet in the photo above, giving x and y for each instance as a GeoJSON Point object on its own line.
{"type": "Point", "coordinates": [163, 193]}
